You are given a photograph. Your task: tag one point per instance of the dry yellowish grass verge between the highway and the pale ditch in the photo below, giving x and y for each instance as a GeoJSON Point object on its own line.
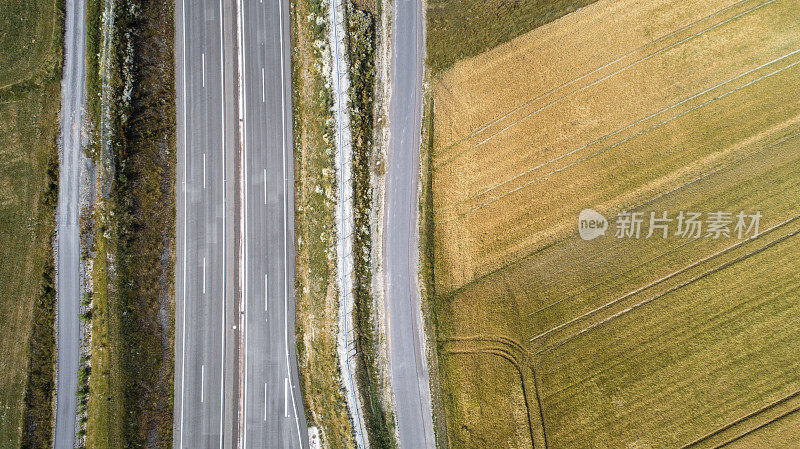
{"type": "Point", "coordinates": [315, 226]}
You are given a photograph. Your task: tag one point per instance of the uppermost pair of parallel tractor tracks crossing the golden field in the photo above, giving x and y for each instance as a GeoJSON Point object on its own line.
{"type": "Point", "coordinates": [648, 56]}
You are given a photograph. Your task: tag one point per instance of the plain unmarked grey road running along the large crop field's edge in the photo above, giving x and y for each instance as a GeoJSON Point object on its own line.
{"type": "Point", "coordinates": [406, 341]}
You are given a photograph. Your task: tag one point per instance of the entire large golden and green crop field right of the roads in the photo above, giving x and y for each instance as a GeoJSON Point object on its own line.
{"type": "Point", "coordinates": [628, 340]}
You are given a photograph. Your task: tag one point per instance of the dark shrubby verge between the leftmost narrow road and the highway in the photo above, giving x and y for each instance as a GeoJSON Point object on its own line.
{"type": "Point", "coordinates": [131, 382]}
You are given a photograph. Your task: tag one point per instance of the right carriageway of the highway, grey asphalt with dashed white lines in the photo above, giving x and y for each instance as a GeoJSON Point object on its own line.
{"type": "Point", "coordinates": [272, 413]}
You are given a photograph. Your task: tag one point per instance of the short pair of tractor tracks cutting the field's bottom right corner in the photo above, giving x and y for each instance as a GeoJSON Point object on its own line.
{"type": "Point", "coordinates": [719, 438]}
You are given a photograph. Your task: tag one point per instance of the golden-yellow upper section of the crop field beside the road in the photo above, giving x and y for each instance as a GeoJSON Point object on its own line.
{"type": "Point", "coordinates": [613, 138]}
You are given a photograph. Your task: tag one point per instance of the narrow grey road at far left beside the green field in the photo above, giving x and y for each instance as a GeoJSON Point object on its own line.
{"type": "Point", "coordinates": [68, 263]}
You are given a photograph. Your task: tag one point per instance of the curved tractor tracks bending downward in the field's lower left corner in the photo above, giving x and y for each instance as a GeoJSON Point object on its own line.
{"type": "Point", "coordinates": [521, 360]}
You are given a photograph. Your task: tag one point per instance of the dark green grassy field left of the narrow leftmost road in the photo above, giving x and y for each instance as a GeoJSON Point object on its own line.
{"type": "Point", "coordinates": [30, 78]}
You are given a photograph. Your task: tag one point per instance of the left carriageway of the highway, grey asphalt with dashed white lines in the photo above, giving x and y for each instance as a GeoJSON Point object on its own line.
{"type": "Point", "coordinates": [204, 317]}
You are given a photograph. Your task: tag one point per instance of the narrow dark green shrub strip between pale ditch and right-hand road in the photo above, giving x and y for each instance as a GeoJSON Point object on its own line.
{"type": "Point", "coordinates": [361, 35]}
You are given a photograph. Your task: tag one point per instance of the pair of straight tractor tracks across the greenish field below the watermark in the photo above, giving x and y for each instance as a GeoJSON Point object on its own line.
{"type": "Point", "coordinates": [552, 346]}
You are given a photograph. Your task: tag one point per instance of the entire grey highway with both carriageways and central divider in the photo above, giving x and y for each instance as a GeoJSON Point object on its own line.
{"type": "Point", "coordinates": [236, 381]}
